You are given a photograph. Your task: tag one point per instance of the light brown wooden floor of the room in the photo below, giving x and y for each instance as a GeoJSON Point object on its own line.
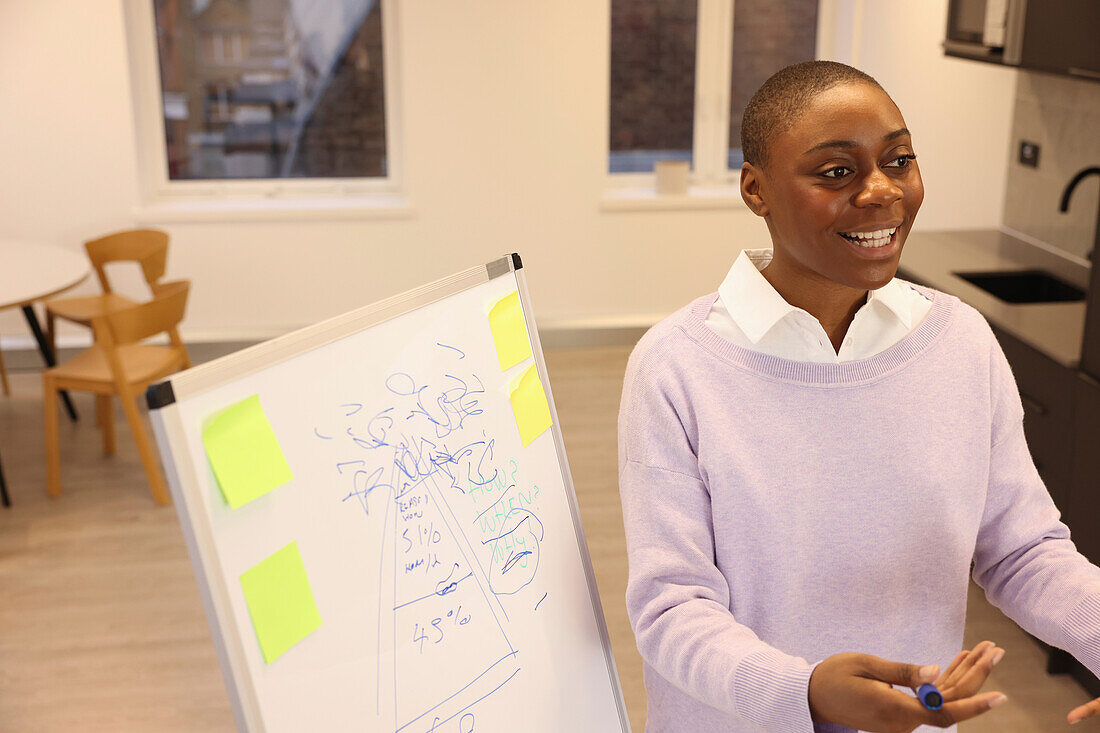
{"type": "Point", "coordinates": [102, 628]}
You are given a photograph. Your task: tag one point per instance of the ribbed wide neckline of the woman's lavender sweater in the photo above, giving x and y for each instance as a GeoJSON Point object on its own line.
{"type": "Point", "coordinates": [899, 355]}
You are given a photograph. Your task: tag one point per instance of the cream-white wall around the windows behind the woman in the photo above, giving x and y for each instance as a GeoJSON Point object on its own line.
{"type": "Point", "coordinates": [505, 147]}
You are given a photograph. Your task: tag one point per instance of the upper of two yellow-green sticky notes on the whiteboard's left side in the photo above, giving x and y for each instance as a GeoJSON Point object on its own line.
{"type": "Point", "coordinates": [245, 453]}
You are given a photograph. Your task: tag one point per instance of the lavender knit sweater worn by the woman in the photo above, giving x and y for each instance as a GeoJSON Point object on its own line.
{"type": "Point", "coordinates": [779, 512]}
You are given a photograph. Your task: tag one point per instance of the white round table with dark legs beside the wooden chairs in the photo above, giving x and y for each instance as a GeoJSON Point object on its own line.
{"type": "Point", "coordinates": [29, 272]}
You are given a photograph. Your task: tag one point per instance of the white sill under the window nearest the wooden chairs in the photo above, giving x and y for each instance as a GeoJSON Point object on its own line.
{"type": "Point", "coordinates": [344, 209]}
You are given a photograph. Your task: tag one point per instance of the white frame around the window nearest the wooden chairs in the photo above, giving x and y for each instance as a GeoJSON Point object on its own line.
{"type": "Point", "coordinates": [163, 200]}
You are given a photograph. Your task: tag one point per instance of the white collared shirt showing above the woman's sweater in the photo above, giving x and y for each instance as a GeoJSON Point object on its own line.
{"type": "Point", "coordinates": [752, 314]}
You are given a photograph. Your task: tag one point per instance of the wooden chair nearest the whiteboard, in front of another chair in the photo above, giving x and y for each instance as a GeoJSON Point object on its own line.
{"type": "Point", "coordinates": [119, 365]}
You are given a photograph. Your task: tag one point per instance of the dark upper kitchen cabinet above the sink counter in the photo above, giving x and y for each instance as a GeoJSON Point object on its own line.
{"type": "Point", "coordinates": [1058, 37]}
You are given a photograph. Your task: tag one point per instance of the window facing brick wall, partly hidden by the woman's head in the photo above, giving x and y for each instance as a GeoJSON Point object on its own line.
{"type": "Point", "coordinates": [683, 71]}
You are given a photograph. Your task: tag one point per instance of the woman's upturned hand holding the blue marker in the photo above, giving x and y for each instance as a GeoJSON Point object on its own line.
{"type": "Point", "coordinates": [856, 691]}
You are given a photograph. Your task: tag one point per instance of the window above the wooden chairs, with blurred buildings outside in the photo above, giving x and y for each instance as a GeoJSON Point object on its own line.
{"type": "Point", "coordinates": [247, 92]}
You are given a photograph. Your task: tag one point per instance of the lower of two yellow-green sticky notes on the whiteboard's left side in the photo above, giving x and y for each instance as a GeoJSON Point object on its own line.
{"type": "Point", "coordinates": [280, 601]}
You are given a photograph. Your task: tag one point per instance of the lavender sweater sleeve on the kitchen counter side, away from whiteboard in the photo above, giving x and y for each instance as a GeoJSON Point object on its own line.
{"type": "Point", "coordinates": [1025, 559]}
